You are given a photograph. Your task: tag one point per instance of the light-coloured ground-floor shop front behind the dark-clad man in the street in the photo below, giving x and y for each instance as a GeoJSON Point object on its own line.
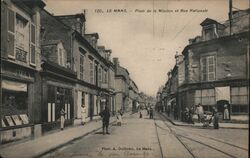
{"type": "Point", "coordinates": [90, 101]}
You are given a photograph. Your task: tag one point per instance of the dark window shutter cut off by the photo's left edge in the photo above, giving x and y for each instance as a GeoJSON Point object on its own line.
{"type": "Point", "coordinates": [4, 33]}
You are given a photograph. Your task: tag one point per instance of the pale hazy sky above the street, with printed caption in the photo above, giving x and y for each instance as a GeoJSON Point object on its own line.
{"type": "Point", "coordinates": [145, 41]}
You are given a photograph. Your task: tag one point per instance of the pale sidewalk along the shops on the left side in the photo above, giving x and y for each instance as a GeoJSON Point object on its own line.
{"type": "Point", "coordinates": [45, 144]}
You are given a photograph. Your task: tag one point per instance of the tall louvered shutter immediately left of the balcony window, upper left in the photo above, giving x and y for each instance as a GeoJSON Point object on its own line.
{"type": "Point", "coordinates": [11, 33]}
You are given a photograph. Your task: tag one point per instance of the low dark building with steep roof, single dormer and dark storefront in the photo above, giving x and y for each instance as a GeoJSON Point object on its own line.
{"type": "Point", "coordinates": [57, 77]}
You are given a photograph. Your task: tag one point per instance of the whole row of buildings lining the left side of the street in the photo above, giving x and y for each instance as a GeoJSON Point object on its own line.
{"type": "Point", "coordinates": [50, 63]}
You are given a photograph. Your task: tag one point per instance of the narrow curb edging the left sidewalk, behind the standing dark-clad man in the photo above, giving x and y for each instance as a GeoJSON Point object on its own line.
{"type": "Point", "coordinates": [67, 142]}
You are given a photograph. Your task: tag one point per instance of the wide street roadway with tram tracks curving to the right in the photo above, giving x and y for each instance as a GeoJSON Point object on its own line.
{"type": "Point", "coordinates": [147, 138]}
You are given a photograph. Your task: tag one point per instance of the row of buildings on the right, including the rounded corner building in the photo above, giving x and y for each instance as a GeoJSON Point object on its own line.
{"type": "Point", "coordinates": [213, 69]}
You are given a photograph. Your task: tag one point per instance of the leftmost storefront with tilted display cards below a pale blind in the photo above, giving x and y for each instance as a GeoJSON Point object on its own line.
{"type": "Point", "coordinates": [17, 101]}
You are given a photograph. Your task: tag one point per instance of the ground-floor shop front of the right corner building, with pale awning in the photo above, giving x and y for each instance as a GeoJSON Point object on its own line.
{"type": "Point", "coordinates": [231, 96]}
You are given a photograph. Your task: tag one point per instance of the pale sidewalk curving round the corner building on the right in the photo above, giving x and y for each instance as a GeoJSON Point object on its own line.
{"type": "Point", "coordinates": [222, 125]}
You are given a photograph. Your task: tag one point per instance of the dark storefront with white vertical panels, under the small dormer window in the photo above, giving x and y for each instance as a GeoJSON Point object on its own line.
{"type": "Point", "coordinates": [57, 95]}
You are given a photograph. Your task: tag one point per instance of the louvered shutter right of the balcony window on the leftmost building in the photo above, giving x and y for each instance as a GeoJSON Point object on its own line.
{"type": "Point", "coordinates": [32, 44]}
